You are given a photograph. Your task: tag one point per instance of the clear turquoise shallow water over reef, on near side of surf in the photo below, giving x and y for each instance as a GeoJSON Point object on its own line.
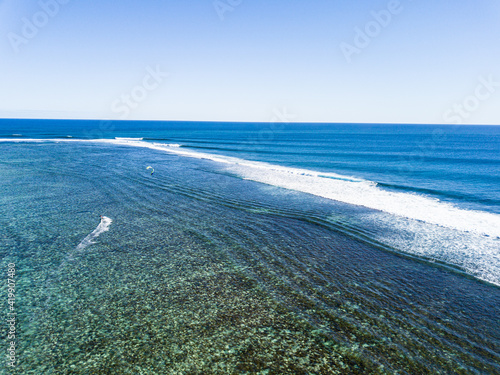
{"type": "Point", "coordinates": [202, 272]}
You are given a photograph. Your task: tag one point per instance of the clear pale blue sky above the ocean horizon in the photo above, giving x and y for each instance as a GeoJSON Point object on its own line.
{"type": "Point", "coordinates": [240, 60]}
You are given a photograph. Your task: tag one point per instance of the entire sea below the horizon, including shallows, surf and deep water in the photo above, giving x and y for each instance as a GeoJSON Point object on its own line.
{"type": "Point", "coordinates": [253, 247]}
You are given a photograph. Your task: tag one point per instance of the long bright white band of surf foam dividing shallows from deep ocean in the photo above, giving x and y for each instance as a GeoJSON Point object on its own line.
{"type": "Point", "coordinates": [340, 188]}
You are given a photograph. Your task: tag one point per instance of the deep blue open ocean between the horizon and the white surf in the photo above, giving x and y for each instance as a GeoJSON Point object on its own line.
{"type": "Point", "coordinates": [457, 164]}
